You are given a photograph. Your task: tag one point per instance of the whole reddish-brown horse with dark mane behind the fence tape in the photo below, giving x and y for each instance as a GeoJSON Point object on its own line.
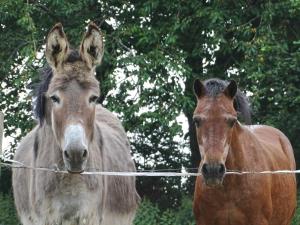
{"type": "Point", "coordinates": [226, 144]}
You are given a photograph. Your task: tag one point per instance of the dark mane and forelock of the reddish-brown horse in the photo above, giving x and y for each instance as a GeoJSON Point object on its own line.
{"type": "Point", "coordinates": [241, 103]}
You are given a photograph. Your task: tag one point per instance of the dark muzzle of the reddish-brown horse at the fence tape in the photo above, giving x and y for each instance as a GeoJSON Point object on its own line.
{"type": "Point", "coordinates": [213, 173]}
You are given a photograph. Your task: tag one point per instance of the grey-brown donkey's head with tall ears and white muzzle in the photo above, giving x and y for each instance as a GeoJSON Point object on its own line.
{"type": "Point", "coordinates": [72, 93]}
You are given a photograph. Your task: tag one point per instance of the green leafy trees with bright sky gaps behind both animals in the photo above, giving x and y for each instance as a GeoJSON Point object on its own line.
{"type": "Point", "coordinates": [159, 48]}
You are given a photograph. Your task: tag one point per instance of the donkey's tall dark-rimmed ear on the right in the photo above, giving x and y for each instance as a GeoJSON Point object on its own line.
{"type": "Point", "coordinates": [91, 48]}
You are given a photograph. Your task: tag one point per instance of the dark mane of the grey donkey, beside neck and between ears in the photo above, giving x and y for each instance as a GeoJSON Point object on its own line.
{"type": "Point", "coordinates": [41, 88]}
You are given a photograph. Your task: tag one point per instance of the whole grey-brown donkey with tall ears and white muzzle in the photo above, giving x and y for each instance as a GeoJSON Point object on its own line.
{"type": "Point", "coordinates": [74, 134]}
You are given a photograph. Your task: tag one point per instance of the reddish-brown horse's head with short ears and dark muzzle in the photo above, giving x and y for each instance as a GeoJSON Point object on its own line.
{"type": "Point", "coordinates": [215, 118]}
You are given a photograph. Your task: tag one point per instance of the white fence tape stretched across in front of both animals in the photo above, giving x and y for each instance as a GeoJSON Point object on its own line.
{"type": "Point", "coordinates": [16, 164]}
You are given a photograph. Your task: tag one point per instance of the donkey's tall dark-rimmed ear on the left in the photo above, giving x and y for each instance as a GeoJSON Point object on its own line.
{"type": "Point", "coordinates": [57, 46]}
